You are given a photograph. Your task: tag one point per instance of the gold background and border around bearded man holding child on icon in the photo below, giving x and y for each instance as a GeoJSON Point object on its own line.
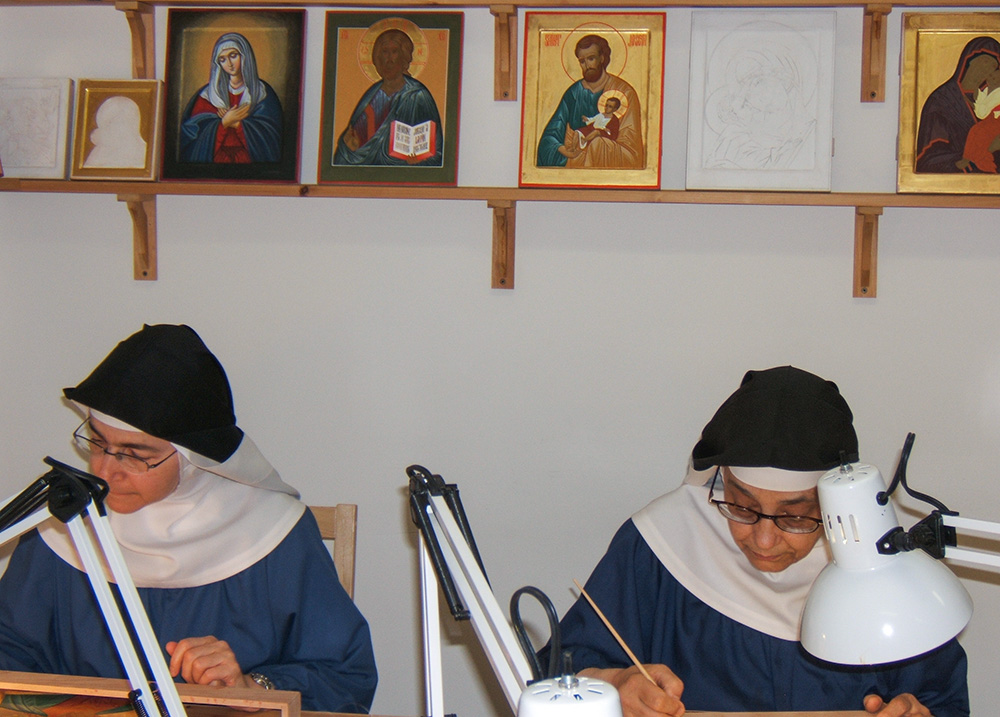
{"type": "Point", "coordinates": [636, 40]}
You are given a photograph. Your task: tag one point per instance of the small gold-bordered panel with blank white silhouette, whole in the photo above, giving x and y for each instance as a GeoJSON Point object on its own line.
{"type": "Point", "coordinates": [116, 129]}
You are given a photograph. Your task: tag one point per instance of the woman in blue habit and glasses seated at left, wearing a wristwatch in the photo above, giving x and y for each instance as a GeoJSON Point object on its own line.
{"type": "Point", "coordinates": [238, 585]}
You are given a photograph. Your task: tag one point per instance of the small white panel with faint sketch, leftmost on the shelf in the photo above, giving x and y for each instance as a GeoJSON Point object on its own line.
{"type": "Point", "coordinates": [34, 126]}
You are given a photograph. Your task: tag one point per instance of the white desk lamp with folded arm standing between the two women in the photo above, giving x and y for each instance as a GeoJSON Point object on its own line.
{"type": "Point", "coordinates": [448, 551]}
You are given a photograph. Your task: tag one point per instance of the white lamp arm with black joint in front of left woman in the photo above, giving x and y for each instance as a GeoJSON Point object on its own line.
{"type": "Point", "coordinates": [77, 499]}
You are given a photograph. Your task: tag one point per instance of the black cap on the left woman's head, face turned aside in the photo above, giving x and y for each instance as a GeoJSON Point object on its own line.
{"type": "Point", "coordinates": [164, 381]}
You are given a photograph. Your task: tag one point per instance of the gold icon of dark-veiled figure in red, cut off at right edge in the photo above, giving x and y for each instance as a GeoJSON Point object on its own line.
{"type": "Point", "coordinates": [943, 143]}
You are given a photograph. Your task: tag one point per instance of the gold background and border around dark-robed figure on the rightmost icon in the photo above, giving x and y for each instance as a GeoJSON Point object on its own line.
{"type": "Point", "coordinates": [932, 42]}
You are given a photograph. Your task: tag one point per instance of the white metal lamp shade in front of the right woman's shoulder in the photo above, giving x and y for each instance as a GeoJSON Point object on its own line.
{"type": "Point", "coordinates": [867, 608]}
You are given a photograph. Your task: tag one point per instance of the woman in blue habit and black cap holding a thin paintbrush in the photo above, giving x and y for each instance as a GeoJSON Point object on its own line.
{"type": "Point", "coordinates": [708, 593]}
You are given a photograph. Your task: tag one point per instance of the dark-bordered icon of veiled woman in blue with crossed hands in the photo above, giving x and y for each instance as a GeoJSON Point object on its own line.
{"type": "Point", "coordinates": [258, 137]}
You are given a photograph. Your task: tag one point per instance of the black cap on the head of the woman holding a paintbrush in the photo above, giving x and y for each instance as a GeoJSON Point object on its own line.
{"type": "Point", "coordinates": [781, 417]}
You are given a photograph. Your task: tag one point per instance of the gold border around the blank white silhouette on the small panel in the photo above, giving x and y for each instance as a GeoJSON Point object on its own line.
{"type": "Point", "coordinates": [90, 96]}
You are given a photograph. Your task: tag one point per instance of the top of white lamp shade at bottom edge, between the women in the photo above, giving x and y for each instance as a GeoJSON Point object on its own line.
{"type": "Point", "coordinates": [570, 696]}
